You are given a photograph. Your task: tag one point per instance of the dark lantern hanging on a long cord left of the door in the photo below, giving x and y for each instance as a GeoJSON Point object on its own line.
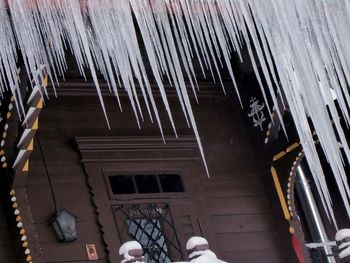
{"type": "Point", "coordinates": [64, 224]}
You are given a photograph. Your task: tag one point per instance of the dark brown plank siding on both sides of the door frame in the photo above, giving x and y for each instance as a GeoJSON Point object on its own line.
{"type": "Point", "coordinates": [230, 208]}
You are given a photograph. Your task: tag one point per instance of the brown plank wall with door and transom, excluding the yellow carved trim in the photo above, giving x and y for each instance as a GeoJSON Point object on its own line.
{"type": "Point", "coordinates": [122, 182]}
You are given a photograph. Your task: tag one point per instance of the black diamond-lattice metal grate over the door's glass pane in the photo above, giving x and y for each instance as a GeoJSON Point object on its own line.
{"type": "Point", "coordinates": [152, 226]}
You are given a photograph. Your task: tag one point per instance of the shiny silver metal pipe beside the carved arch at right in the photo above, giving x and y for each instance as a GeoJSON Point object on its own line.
{"type": "Point", "coordinates": [313, 218]}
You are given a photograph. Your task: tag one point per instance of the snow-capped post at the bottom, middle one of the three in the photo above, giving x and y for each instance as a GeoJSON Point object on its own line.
{"type": "Point", "coordinates": [198, 251]}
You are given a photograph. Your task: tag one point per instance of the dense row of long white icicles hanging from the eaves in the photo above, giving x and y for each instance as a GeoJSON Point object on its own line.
{"type": "Point", "coordinates": [302, 47]}
